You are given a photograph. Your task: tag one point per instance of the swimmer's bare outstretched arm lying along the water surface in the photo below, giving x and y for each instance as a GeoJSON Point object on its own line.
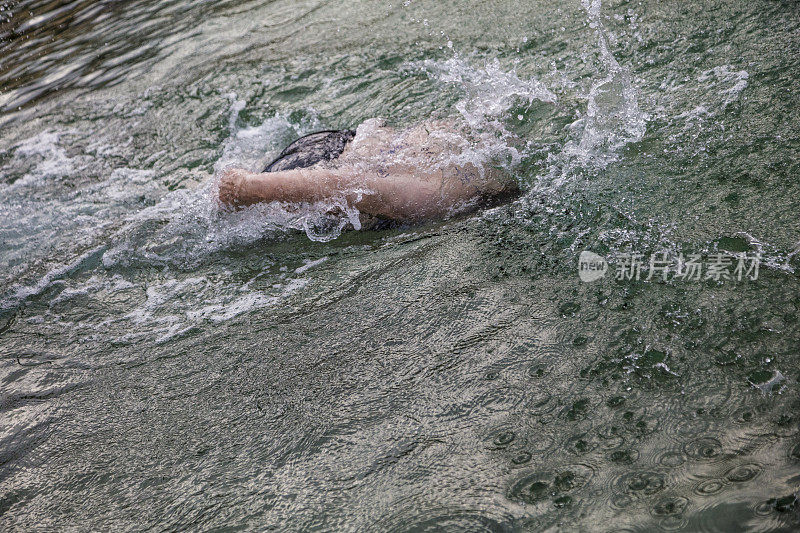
{"type": "Point", "coordinates": [398, 195]}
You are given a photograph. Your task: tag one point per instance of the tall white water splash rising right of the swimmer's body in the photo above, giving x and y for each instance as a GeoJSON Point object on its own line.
{"type": "Point", "coordinates": [612, 118]}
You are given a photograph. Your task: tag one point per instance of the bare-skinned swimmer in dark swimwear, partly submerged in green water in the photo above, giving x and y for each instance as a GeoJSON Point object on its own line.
{"type": "Point", "coordinates": [395, 175]}
